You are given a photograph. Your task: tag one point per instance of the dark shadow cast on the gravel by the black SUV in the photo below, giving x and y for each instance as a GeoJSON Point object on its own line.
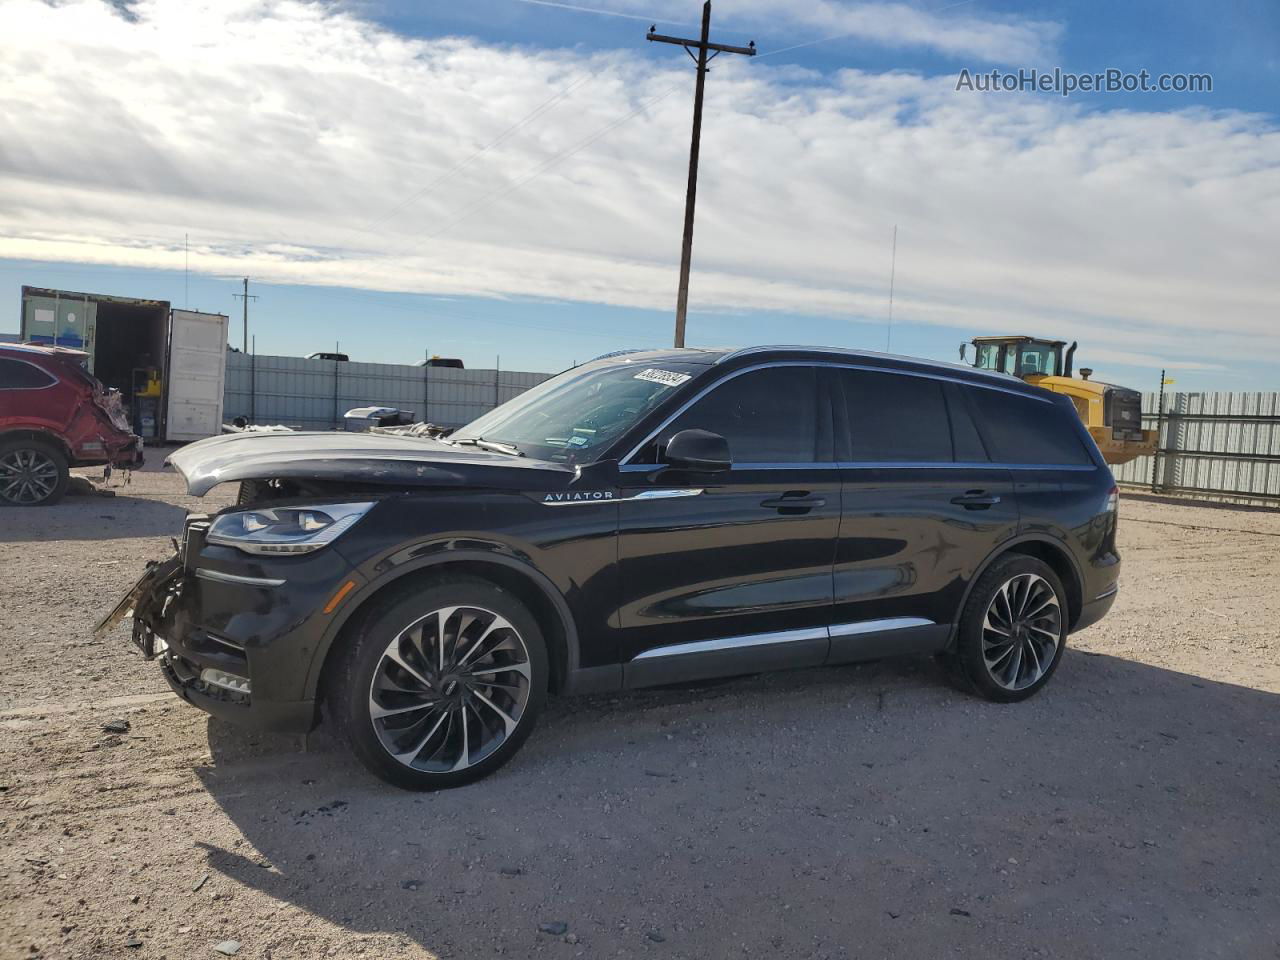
{"type": "Point", "coordinates": [860, 811]}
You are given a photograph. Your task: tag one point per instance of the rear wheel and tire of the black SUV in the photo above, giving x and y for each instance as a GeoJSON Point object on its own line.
{"type": "Point", "coordinates": [1013, 630]}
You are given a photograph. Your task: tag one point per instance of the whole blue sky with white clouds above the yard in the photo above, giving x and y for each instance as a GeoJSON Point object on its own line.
{"type": "Point", "coordinates": [506, 177]}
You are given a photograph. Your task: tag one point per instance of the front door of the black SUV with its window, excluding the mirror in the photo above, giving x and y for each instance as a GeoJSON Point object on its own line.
{"type": "Point", "coordinates": [730, 573]}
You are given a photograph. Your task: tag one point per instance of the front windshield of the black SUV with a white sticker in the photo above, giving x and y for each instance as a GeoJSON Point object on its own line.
{"type": "Point", "coordinates": [574, 417]}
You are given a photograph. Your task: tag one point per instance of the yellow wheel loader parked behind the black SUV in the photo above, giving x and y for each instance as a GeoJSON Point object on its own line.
{"type": "Point", "coordinates": [1112, 414]}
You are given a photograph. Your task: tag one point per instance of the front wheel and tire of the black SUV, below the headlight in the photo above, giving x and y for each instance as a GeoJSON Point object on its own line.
{"type": "Point", "coordinates": [440, 687]}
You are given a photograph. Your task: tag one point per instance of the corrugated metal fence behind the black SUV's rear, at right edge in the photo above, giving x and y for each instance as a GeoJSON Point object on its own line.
{"type": "Point", "coordinates": [1224, 445]}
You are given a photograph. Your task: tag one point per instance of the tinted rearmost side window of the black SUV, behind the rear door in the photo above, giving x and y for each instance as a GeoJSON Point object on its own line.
{"type": "Point", "coordinates": [1028, 431]}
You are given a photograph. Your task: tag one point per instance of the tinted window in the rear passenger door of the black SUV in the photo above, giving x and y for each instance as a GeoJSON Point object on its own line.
{"type": "Point", "coordinates": [897, 418]}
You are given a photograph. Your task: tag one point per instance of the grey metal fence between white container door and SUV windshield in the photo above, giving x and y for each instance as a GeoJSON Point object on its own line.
{"type": "Point", "coordinates": [313, 395]}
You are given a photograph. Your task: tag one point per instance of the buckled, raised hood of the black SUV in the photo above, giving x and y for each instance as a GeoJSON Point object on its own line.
{"type": "Point", "coordinates": [364, 459]}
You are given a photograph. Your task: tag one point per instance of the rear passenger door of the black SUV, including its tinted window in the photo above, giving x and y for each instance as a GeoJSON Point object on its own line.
{"type": "Point", "coordinates": [922, 509]}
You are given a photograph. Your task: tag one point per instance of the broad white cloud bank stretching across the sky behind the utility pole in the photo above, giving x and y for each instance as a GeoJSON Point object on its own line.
{"type": "Point", "coordinates": [287, 139]}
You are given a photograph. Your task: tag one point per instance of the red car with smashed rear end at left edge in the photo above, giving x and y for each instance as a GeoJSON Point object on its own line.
{"type": "Point", "coordinates": [56, 415]}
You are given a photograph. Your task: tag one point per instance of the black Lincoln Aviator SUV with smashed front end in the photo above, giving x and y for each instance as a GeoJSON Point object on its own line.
{"type": "Point", "coordinates": [643, 519]}
